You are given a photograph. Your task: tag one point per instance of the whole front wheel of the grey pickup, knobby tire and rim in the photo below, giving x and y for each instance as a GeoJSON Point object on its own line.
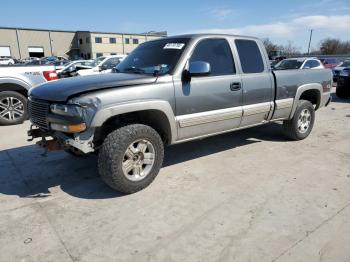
{"type": "Point", "coordinates": [131, 157]}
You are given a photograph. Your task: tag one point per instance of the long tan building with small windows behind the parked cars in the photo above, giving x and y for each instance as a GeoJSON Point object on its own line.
{"type": "Point", "coordinates": [21, 43]}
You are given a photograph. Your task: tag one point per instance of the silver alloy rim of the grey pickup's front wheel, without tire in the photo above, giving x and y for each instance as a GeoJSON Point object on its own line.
{"type": "Point", "coordinates": [138, 160]}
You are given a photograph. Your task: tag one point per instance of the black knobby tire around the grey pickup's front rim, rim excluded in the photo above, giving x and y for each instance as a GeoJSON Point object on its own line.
{"type": "Point", "coordinates": [112, 152]}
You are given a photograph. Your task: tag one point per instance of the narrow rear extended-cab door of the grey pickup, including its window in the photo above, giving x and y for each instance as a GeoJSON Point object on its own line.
{"type": "Point", "coordinates": [257, 82]}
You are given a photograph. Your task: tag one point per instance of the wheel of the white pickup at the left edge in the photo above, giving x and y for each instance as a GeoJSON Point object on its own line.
{"type": "Point", "coordinates": [13, 108]}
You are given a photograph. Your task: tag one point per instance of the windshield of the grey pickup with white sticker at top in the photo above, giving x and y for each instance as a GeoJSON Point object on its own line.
{"type": "Point", "coordinates": [156, 57]}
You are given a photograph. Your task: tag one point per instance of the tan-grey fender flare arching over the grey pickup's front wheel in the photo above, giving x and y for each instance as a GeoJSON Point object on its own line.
{"type": "Point", "coordinates": [103, 114]}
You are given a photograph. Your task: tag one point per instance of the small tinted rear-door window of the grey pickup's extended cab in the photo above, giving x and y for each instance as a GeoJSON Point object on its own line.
{"type": "Point", "coordinates": [250, 56]}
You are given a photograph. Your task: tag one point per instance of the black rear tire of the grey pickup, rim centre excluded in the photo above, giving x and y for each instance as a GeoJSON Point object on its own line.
{"type": "Point", "coordinates": [291, 126]}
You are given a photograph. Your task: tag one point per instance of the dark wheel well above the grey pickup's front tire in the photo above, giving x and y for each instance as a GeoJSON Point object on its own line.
{"type": "Point", "coordinates": [153, 118]}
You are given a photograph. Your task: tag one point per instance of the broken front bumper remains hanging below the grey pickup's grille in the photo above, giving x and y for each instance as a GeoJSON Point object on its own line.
{"type": "Point", "coordinates": [53, 140]}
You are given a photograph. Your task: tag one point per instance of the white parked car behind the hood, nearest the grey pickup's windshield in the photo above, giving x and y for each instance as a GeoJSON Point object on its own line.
{"type": "Point", "coordinates": [104, 66]}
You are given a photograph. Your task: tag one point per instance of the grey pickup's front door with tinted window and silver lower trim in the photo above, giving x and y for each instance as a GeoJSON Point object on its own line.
{"type": "Point", "coordinates": [211, 103]}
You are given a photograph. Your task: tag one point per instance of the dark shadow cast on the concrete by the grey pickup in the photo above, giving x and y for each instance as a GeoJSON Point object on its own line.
{"type": "Point", "coordinates": [25, 173]}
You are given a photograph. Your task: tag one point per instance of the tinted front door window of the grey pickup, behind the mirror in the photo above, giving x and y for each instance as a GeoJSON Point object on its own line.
{"type": "Point", "coordinates": [217, 53]}
